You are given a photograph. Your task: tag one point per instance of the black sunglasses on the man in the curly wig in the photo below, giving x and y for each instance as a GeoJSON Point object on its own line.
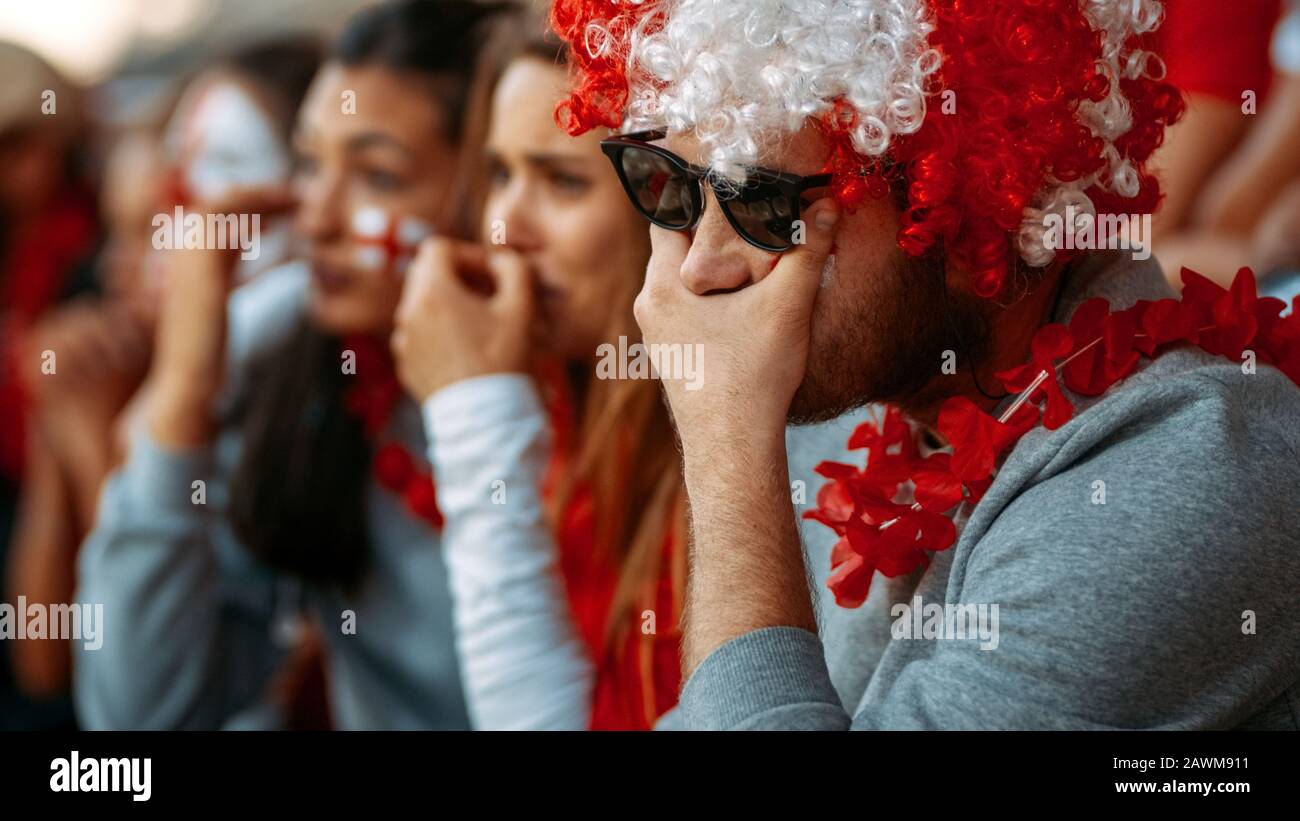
{"type": "Point", "coordinates": [669, 192]}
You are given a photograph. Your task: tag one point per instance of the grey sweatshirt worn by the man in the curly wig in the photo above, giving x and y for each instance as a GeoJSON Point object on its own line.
{"type": "Point", "coordinates": [1145, 561]}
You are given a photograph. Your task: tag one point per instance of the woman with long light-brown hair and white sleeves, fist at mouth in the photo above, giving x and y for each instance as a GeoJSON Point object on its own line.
{"type": "Point", "coordinates": [567, 588]}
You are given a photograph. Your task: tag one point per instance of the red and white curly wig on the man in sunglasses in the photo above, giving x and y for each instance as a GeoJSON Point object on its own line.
{"type": "Point", "coordinates": [1055, 103]}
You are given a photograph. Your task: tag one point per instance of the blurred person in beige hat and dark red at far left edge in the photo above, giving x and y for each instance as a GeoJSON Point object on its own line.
{"type": "Point", "coordinates": [47, 236]}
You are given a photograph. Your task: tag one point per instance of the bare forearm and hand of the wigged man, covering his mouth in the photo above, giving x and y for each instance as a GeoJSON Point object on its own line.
{"type": "Point", "coordinates": [756, 347]}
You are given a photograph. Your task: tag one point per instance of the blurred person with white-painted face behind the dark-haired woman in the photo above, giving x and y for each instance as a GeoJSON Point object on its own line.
{"type": "Point", "coordinates": [229, 129]}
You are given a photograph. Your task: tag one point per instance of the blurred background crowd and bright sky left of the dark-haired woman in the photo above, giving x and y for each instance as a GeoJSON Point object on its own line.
{"type": "Point", "coordinates": [86, 171]}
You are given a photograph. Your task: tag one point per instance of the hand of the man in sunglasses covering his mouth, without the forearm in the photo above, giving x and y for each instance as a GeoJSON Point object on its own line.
{"type": "Point", "coordinates": [755, 341]}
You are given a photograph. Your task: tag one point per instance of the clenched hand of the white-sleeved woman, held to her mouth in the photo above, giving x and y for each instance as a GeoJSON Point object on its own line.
{"type": "Point", "coordinates": [466, 312]}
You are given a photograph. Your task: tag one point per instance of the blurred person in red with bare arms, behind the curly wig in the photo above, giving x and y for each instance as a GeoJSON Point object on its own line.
{"type": "Point", "coordinates": [1232, 167]}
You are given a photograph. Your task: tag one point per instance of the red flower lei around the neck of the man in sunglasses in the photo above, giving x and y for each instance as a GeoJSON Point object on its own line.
{"type": "Point", "coordinates": [882, 529]}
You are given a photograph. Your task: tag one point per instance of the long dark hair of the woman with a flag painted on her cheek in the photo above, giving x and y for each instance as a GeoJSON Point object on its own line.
{"type": "Point", "coordinates": [298, 498]}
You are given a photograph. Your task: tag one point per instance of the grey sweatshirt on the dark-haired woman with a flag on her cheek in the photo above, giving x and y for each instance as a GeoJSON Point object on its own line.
{"type": "Point", "coordinates": [196, 628]}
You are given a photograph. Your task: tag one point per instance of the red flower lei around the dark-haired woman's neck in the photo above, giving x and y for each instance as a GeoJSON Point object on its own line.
{"type": "Point", "coordinates": [371, 401]}
